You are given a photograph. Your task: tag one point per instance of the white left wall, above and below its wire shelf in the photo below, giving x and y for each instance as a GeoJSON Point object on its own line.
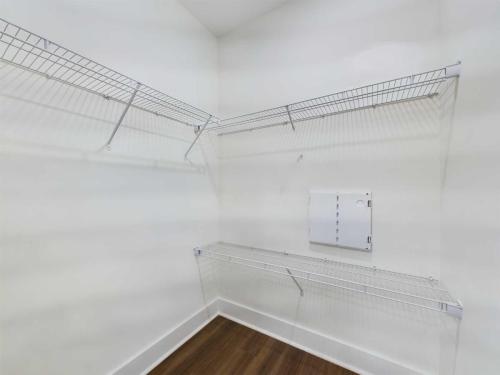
{"type": "Point", "coordinates": [96, 260]}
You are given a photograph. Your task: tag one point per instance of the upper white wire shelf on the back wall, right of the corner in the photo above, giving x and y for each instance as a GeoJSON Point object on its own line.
{"type": "Point", "coordinates": [412, 87]}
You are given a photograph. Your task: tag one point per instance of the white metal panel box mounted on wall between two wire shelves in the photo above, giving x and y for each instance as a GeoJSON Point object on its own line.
{"type": "Point", "coordinates": [341, 219]}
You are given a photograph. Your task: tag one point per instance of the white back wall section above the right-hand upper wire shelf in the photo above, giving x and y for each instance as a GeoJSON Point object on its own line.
{"type": "Point", "coordinates": [311, 48]}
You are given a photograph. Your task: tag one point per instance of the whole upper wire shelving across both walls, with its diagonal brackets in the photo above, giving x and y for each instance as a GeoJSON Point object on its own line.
{"type": "Point", "coordinates": [32, 52]}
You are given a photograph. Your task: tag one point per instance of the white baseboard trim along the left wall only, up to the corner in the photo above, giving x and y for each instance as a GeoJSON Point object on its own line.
{"type": "Point", "coordinates": [146, 360]}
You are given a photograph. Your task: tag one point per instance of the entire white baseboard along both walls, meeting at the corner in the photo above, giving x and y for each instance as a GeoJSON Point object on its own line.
{"type": "Point", "coordinates": [344, 354]}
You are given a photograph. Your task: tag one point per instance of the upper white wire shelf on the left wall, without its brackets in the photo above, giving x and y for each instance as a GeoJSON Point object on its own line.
{"type": "Point", "coordinates": [35, 53]}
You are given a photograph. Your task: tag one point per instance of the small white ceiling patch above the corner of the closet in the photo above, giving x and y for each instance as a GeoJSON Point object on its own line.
{"type": "Point", "coordinates": [222, 16]}
